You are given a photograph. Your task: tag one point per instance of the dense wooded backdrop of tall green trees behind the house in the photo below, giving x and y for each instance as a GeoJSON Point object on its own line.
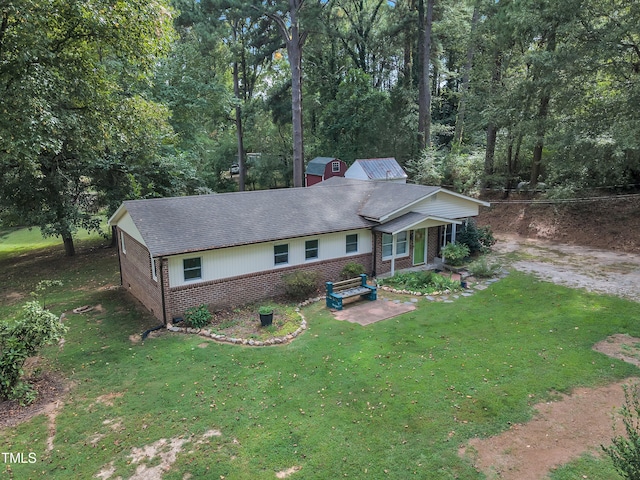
{"type": "Point", "coordinates": [109, 100]}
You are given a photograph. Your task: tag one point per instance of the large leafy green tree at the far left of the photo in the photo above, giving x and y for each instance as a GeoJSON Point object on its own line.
{"type": "Point", "coordinates": [67, 71]}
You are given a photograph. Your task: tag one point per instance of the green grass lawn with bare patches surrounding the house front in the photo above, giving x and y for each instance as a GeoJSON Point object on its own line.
{"type": "Point", "coordinates": [392, 400]}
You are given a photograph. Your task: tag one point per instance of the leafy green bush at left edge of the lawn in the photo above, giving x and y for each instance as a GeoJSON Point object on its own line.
{"type": "Point", "coordinates": [22, 339]}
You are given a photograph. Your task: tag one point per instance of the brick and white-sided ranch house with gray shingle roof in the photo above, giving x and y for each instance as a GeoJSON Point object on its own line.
{"type": "Point", "coordinates": [233, 248]}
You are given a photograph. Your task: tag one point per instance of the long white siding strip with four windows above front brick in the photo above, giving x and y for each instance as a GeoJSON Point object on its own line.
{"type": "Point", "coordinates": [248, 259]}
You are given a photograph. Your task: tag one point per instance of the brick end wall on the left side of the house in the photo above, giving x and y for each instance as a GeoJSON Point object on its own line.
{"type": "Point", "coordinates": [135, 268]}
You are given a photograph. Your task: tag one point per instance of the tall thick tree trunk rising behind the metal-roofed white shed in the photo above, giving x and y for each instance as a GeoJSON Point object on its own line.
{"type": "Point", "coordinates": [424, 103]}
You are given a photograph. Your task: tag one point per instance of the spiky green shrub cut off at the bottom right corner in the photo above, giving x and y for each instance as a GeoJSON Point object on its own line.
{"type": "Point", "coordinates": [625, 451]}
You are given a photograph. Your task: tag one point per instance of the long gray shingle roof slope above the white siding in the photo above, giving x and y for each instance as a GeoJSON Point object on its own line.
{"type": "Point", "coordinates": [185, 224]}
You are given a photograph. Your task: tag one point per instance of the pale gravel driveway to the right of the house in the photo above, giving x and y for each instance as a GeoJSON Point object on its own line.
{"type": "Point", "coordinates": [574, 266]}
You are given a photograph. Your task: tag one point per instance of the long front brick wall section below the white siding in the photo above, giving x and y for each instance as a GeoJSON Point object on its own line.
{"type": "Point", "coordinates": [251, 288]}
